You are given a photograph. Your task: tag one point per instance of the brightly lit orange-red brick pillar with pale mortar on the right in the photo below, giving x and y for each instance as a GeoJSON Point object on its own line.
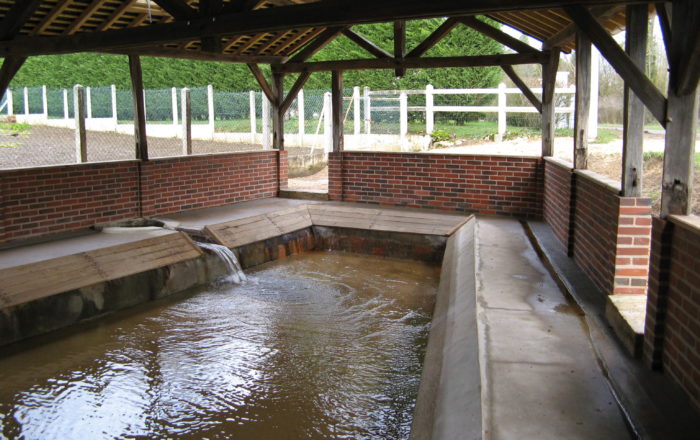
{"type": "Point", "coordinates": [632, 249]}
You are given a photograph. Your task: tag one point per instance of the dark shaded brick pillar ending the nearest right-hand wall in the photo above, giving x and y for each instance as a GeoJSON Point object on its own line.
{"type": "Point", "coordinates": [657, 297]}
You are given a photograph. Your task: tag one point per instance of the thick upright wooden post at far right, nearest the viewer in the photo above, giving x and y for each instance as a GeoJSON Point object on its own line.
{"type": "Point", "coordinates": [679, 156]}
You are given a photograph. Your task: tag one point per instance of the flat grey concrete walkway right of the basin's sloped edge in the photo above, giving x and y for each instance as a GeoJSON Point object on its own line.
{"type": "Point", "coordinates": [540, 377]}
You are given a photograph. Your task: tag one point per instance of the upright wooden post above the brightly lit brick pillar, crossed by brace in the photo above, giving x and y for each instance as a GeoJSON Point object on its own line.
{"type": "Point", "coordinates": [633, 117]}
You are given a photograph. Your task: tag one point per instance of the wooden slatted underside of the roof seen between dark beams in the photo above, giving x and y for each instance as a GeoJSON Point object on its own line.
{"type": "Point", "coordinates": [70, 17]}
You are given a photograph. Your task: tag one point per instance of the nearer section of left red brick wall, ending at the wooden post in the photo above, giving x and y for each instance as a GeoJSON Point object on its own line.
{"type": "Point", "coordinates": [43, 201]}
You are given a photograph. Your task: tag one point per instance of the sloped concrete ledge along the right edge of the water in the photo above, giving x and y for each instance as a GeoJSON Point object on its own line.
{"type": "Point", "coordinates": [449, 397]}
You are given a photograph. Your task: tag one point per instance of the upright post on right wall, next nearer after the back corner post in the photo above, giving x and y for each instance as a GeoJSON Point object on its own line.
{"type": "Point", "coordinates": [583, 100]}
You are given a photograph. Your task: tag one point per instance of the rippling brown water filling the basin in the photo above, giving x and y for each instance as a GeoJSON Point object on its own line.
{"type": "Point", "coordinates": [322, 345]}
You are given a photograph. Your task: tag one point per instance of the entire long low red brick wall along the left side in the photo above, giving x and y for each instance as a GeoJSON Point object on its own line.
{"type": "Point", "coordinates": [49, 200]}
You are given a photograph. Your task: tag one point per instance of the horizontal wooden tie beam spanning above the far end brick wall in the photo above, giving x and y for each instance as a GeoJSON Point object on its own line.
{"type": "Point", "coordinates": [417, 63]}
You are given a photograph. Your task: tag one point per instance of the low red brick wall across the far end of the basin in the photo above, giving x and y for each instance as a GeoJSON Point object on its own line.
{"type": "Point", "coordinates": [486, 184]}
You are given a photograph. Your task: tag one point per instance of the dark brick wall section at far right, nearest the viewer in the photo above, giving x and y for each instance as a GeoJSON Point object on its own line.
{"type": "Point", "coordinates": [672, 335]}
